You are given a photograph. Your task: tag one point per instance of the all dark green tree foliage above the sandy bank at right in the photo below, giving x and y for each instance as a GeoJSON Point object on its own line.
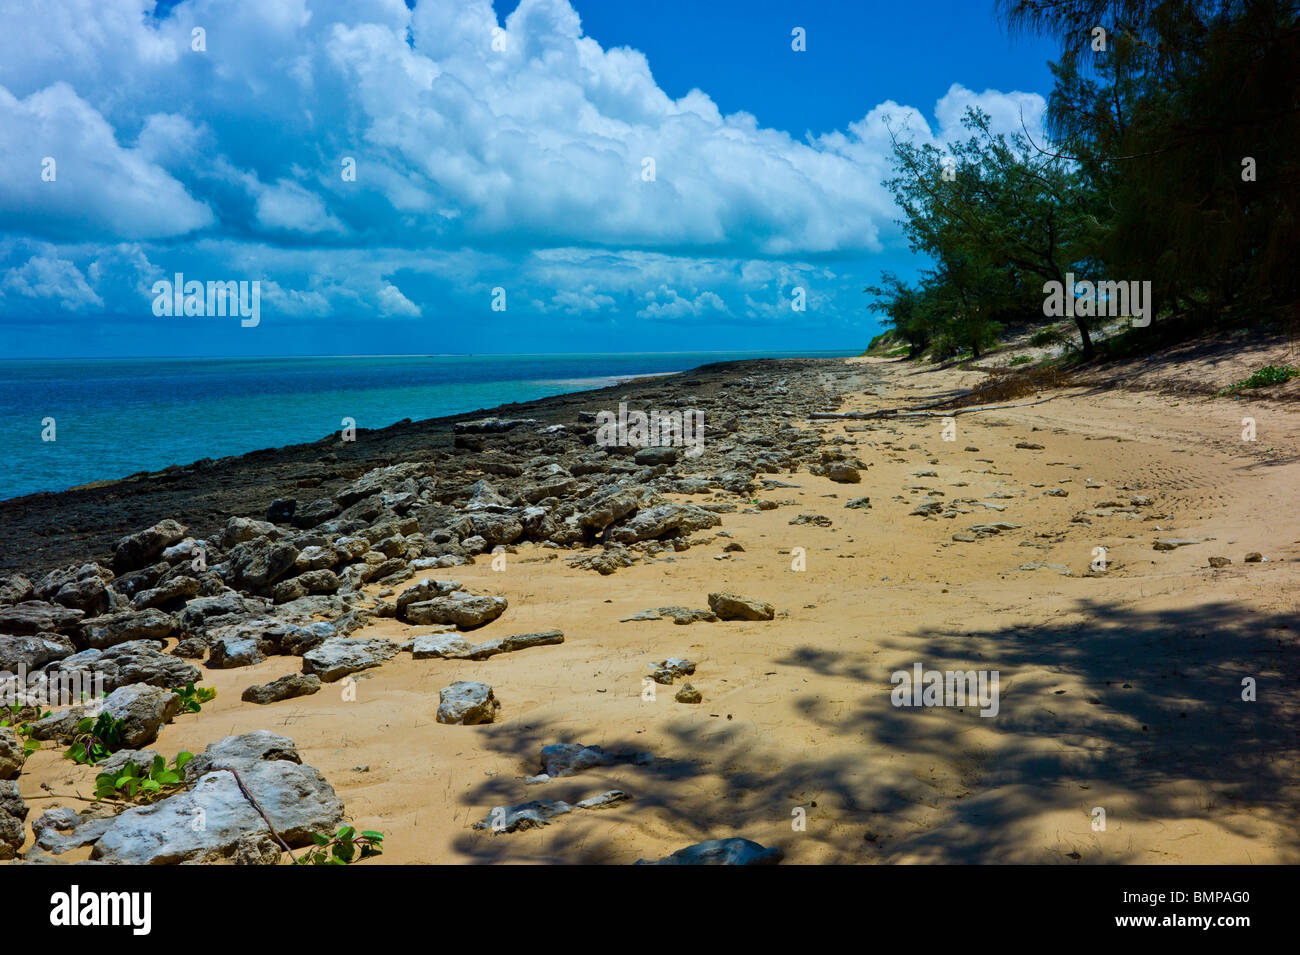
{"type": "Point", "coordinates": [1173, 158]}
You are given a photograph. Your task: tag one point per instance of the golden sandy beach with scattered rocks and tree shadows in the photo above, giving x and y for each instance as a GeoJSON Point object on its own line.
{"type": "Point", "coordinates": [1120, 689]}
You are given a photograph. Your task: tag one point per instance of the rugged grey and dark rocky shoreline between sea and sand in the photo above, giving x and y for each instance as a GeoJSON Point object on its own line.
{"type": "Point", "coordinates": [289, 553]}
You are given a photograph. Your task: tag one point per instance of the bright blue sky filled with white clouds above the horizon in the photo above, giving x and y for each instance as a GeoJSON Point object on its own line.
{"type": "Point", "coordinates": [454, 176]}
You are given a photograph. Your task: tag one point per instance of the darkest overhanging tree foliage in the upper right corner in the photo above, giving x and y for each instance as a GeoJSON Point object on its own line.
{"type": "Point", "coordinates": [1186, 125]}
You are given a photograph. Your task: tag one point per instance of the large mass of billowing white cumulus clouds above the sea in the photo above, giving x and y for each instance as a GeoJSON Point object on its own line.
{"type": "Point", "coordinates": [487, 153]}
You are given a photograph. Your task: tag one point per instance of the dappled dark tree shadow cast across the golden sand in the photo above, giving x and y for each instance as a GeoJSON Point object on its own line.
{"type": "Point", "coordinates": [1152, 710]}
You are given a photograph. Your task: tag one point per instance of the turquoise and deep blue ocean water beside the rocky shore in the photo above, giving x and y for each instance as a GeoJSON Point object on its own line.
{"type": "Point", "coordinates": [119, 416]}
